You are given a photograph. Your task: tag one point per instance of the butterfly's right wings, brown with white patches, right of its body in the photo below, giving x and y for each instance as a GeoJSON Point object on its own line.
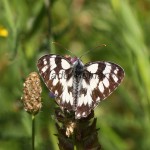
{"type": "Point", "coordinates": [100, 79]}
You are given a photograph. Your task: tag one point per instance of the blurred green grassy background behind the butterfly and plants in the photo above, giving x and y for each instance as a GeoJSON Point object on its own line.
{"type": "Point", "coordinates": [27, 29]}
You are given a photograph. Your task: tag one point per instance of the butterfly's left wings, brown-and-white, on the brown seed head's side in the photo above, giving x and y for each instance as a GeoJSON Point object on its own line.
{"type": "Point", "coordinates": [56, 71]}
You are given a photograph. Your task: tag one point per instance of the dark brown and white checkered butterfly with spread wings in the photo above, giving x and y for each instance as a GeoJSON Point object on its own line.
{"type": "Point", "coordinates": [78, 87]}
